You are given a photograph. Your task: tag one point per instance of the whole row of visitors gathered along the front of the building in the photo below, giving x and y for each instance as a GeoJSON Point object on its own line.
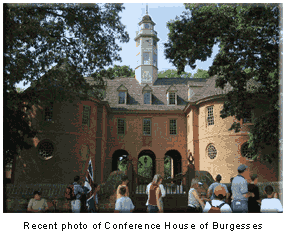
{"type": "Point", "coordinates": [238, 197]}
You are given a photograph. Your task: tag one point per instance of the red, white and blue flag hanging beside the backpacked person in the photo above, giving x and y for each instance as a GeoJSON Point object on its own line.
{"type": "Point", "coordinates": [88, 185]}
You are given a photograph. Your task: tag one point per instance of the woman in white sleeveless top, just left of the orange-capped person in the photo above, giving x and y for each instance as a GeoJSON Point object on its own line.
{"type": "Point", "coordinates": [195, 203]}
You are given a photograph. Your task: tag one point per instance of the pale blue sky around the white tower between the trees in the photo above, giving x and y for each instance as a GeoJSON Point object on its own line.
{"type": "Point", "coordinates": [161, 13]}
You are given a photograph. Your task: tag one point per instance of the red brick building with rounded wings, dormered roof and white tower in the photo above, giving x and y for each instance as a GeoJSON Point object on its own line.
{"type": "Point", "coordinates": [141, 115]}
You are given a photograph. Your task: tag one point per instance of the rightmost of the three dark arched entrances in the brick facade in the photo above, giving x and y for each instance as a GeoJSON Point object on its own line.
{"type": "Point", "coordinates": [172, 163]}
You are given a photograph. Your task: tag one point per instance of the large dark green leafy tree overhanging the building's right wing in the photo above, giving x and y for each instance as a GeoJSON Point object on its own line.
{"type": "Point", "coordinates": [249, 37]}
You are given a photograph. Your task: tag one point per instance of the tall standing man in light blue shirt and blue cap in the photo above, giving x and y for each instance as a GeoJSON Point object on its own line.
{"type": "Point", "coordinates": [240, 192]}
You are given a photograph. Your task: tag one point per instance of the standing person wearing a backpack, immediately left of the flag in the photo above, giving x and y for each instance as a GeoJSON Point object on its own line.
{"type": "Point", "coordinates": [74, 193]}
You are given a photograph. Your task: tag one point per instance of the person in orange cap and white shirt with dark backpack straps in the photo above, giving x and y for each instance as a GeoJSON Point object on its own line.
{"type": "Point", "coordinates": [218, 201]}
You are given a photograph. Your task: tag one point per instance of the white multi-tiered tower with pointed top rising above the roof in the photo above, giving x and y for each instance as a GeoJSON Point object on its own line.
{"type": "Point", "coordinates": [146, 43]}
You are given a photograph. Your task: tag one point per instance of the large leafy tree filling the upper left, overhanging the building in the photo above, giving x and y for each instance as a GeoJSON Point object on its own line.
{"type": "Point", "coordinates": [80, 39]}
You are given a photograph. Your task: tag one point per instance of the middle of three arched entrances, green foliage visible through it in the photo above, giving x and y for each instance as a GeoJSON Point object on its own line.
{"type": "Point", "coordinates": [146, 163]}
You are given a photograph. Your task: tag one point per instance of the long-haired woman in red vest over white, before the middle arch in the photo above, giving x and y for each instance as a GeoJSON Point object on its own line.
{"type": "Point", "coordinates": [155, 191]}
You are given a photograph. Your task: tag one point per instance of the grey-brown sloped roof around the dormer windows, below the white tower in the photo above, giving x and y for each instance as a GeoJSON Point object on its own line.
{"type": "Point", "coordinates": [135, 100]}
